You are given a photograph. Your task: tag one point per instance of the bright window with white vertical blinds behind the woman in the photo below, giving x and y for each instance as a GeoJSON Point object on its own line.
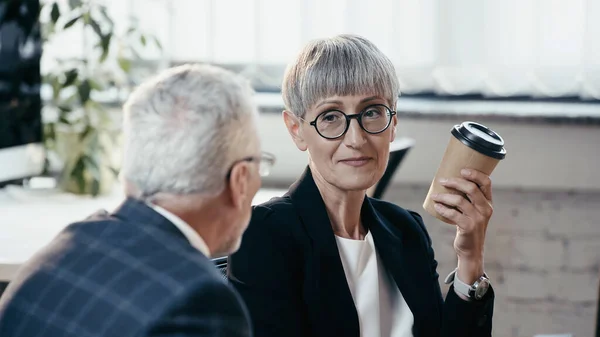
{"type": "Point", "coordinates": [494, 48]}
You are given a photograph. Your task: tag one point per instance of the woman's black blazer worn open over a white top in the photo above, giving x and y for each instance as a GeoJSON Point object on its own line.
{"type": "Point", "coordinates": [289, 272]}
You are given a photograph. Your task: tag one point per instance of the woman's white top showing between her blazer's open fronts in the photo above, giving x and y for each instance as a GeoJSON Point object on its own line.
{"type": "Point", "coordinates": [382, 310]}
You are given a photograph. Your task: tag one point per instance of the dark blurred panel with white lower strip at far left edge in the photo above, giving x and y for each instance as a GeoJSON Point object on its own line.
{"type": "Point", "coordinates": [20, 82]}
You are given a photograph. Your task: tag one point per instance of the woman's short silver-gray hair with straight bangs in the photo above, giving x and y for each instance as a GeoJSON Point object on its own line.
{"type": "Point", "coordinates": [338, 66]}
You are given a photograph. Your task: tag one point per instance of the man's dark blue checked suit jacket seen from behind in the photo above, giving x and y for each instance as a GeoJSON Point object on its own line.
{"type": "Point", "coordinates": [129, 273]}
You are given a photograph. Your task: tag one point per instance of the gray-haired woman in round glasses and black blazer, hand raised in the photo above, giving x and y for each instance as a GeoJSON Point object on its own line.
{"type": "Point", "coordinates": [326, 260]}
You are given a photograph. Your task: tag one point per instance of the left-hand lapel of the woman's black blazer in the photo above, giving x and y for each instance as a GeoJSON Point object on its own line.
{"type": "Point", "coordinates": [325, 283]}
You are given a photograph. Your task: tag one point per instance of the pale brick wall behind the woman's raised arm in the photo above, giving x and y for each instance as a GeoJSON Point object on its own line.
{"type": "Point", "coordinates": [542, 255]}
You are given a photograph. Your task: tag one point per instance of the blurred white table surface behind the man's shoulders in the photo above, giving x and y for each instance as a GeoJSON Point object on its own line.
{"type": "Point", "coordinates": [30, 218]}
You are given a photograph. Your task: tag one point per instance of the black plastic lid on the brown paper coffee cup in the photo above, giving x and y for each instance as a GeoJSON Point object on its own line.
{"type": "Point", "coordinates": [480, 138]}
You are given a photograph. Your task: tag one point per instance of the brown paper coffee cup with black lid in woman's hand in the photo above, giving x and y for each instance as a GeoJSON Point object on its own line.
{"type": "Point", "coordinates": [471, 146]}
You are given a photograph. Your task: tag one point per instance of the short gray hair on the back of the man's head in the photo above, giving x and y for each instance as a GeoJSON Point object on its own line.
{"type": "Point", "coordinates": [185, 128]}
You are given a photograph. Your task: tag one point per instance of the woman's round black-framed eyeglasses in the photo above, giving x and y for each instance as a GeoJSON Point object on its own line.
{"type": "Point", "coordinates": [333, 124]}
